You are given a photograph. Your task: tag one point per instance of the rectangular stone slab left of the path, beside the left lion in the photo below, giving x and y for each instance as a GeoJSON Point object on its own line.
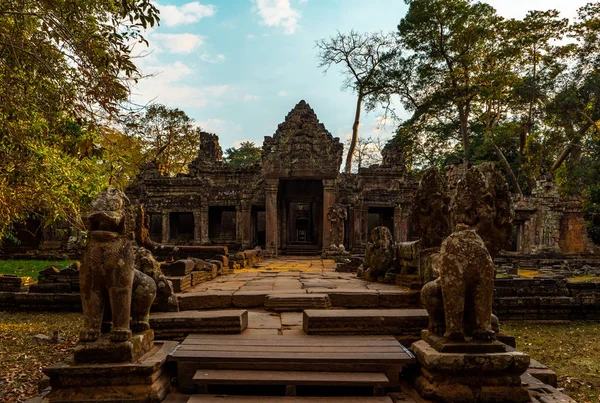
{"type": "Point", "coordinates": [177, 325]}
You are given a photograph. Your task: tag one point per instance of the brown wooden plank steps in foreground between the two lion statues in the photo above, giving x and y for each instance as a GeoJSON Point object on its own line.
{"type": "Point", "coordinates": [206, 363]}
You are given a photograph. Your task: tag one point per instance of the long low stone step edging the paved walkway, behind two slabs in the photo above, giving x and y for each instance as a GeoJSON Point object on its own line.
{"type": "Point", "coordinates": [340, 298]}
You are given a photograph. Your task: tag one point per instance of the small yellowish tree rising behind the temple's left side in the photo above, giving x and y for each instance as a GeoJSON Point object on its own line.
{"type": "Point", "coordinates": [168, 137]}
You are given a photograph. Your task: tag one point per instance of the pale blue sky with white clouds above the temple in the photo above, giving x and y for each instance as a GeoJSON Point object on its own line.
{"type": "Point", "coordinates": [237, 67]}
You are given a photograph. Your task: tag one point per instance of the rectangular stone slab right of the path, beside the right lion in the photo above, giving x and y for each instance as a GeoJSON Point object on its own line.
{"type": "Point", "coordinates": [397, 322]}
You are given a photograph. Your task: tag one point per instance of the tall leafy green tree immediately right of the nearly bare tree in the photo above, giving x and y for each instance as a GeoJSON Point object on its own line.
{"type": "Point", "coordinates": [449, 41]}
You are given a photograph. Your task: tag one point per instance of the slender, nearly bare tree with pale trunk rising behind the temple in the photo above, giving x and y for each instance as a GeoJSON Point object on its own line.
{"type": "Point", "coordinates": [363, 57]}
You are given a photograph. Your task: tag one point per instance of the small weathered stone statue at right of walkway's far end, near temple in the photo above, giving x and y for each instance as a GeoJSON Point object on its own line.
{"type": "Point", "coordinates": [379, 254]}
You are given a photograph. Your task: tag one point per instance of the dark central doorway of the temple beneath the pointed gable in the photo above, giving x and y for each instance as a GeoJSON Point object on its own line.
{"type": "Point", "coordinates": [301, 215]}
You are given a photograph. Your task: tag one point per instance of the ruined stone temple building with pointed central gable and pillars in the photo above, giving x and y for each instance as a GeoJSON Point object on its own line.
{"type": "Point", "coordinates": [281, 205]}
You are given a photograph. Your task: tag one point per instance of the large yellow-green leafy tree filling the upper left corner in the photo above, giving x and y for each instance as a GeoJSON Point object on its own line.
{"type": "Point", "coordinates": [65, 68]}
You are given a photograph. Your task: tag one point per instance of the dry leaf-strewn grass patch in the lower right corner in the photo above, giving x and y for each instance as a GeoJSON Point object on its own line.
{"type": "Point", "coordinates": [572, 350]}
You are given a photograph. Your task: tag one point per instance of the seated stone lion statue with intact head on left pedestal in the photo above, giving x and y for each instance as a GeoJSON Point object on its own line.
{"type": "Point", "coordinates": [113, 293]}
